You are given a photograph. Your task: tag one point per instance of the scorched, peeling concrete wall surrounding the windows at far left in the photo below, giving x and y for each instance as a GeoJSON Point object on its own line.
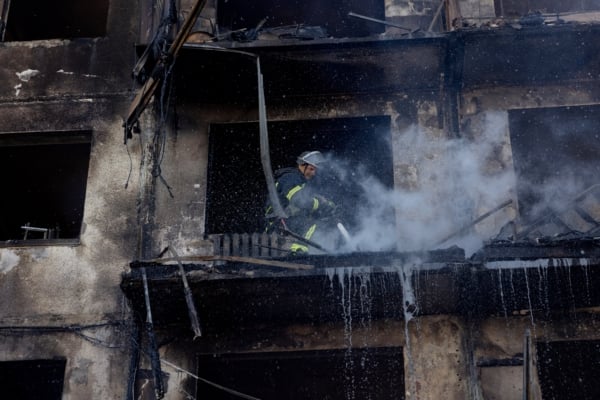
{"type": "Point", "coordinates": [64, 301]}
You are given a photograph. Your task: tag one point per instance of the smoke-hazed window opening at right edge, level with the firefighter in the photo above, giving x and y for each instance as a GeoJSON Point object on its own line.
{"type": "Point", "coordinates": [555, 154]}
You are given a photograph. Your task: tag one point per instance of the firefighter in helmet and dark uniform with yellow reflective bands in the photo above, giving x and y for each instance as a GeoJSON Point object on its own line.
{"type": "Point", "coordinates": [306, 209]}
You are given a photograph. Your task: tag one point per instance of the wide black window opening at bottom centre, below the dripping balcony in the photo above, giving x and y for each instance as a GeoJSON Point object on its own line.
{"type": "Point", "coordinates": [367, 373]}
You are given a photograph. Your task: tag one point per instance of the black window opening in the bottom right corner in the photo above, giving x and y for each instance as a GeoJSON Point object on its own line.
{"type": "Point", "coordinates": [569, 370]}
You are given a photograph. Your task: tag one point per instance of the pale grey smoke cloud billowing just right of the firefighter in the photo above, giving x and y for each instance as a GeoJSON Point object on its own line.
{"type": "Point", "coordinates": [441, 185]}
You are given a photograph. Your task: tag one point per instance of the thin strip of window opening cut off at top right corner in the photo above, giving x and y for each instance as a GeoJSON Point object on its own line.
{"type": "Point", "coordinates": [517, 8]}
